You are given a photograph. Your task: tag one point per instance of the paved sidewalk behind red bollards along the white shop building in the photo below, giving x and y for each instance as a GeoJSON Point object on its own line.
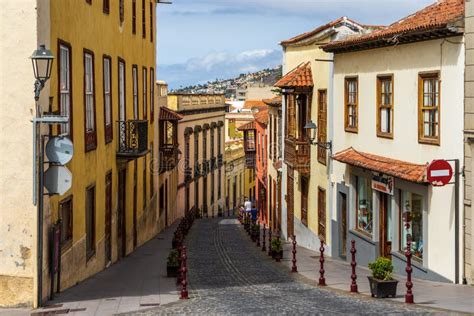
{"type": "Point", "coordinates": [447, 296]}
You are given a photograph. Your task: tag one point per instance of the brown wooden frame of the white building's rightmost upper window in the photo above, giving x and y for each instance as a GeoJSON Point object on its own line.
{"type": "Point", "coordinates": [436, 141]}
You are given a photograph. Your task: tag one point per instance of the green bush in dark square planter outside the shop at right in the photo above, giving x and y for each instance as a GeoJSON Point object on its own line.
{"type": "Point", "coordinates": [381, 282]}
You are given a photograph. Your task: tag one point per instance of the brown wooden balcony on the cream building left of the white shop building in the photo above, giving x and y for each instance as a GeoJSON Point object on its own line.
{"type": "Point", "coordinates": [298, 155]}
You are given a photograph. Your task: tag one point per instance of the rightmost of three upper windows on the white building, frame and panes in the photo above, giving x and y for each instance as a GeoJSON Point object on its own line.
{"type": "Point", "coordinates": [429, 108]}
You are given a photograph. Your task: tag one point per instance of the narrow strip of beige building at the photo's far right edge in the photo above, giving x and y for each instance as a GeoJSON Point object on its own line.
{"type": "Point", "coordinates": [469, 144]}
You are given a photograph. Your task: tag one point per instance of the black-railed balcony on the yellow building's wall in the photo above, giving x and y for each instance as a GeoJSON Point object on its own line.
{"type": "Point", "coordinates": [133, 139]}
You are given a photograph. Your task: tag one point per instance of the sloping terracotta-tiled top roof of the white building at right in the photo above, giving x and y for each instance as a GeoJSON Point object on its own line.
{"type": "Point", "coordinates": [434, 17]}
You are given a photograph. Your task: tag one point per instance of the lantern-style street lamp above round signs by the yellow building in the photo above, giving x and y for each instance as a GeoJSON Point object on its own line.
{"type": "Point", "coordinates": [42, 60]}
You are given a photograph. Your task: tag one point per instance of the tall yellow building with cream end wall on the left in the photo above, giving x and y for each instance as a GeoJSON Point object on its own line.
{"type": "Point", "coordinates": [103, 79]}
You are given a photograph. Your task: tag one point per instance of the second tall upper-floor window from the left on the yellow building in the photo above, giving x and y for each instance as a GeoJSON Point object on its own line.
{"type": "Point", "coordinates": [89, 99]}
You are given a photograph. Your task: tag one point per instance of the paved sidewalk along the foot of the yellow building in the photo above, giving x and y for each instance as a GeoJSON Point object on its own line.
{"type": "Point", "coordinates": [136, 282]}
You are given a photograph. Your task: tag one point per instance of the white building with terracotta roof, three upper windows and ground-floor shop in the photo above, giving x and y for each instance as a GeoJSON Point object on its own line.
{"type": "Point", "coordinates": [391, 119]}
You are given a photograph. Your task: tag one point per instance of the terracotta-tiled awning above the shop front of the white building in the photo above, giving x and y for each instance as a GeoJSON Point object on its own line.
{"type": "Point", "coordinates": [392, 167]}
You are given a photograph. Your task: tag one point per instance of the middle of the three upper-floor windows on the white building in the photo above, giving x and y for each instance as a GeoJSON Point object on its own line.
{"type": "Point", "coordinates": [385, 106]}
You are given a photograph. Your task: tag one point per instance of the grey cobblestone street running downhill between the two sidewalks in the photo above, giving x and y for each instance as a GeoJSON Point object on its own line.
{"type": "Point", "coordinates": [229, 275]}
